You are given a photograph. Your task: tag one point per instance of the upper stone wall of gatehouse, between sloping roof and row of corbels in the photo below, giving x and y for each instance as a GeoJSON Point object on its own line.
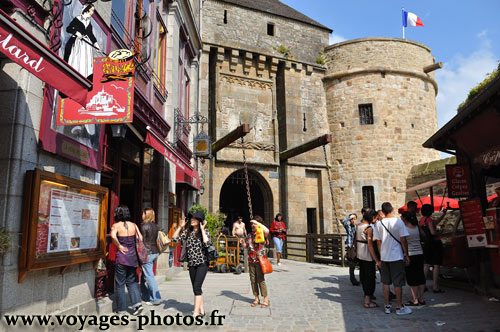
{"type": "Point", "coordinates": [247, 29]}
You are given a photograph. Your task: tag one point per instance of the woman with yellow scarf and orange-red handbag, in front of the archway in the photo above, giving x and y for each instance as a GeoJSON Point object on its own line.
{"type": "Point", "coordinates": [255, 242]}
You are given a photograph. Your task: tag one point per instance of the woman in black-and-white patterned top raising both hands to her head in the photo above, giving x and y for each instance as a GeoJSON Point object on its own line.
{"type": "Point", "coordinates": [195, 240]}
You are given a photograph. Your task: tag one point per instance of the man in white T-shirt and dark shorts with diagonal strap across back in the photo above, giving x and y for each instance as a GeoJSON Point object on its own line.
{"type": "Point", "coordinates": [391, 234]}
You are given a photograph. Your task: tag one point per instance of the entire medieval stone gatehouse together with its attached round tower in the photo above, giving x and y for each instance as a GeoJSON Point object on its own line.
{"type": "Point", "coordinates": [375, 96]}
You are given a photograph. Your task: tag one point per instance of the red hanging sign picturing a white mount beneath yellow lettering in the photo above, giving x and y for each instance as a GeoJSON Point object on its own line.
{"type": "Point", "coordinates": [111, 99]}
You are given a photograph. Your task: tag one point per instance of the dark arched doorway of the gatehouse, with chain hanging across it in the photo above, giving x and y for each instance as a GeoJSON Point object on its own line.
{"type": "Point", "coordinates": [234, 201]}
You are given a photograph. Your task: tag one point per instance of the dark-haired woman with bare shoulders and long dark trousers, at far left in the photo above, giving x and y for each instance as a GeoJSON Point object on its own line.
{"type": "Point", "coordinates": [125, 235]}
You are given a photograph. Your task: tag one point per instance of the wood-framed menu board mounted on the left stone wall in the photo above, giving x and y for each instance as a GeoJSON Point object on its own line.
{"type": "Point", "coordinates": [64, 222]}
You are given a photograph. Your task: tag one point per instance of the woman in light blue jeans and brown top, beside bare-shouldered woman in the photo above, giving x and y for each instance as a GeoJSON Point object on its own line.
{"type": "Point", "coordinates": [149, 288]}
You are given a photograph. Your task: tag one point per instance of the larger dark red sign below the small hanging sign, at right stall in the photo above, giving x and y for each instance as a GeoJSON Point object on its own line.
{"type": "Point", "coordinates": [472, 216]}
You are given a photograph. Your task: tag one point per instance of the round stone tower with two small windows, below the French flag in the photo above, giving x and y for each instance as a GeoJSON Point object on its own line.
{"type": "Point", "coordinates": [381, 107]}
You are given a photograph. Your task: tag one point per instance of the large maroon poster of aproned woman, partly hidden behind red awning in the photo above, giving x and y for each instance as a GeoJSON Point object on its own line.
{"type": "Point", "coordinates": [78, 46]}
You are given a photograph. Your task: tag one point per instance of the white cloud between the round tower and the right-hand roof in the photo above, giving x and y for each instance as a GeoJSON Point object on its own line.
{"type": "Point", "coordinates": [461, 74]}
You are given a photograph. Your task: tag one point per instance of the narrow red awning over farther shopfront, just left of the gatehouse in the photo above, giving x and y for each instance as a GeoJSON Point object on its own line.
{"type": "Point", "coordinates": [184, 172]}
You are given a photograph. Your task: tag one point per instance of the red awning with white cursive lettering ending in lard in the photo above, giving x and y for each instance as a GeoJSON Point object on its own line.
{"type": "Point", "coordinates": [28, 52]}
